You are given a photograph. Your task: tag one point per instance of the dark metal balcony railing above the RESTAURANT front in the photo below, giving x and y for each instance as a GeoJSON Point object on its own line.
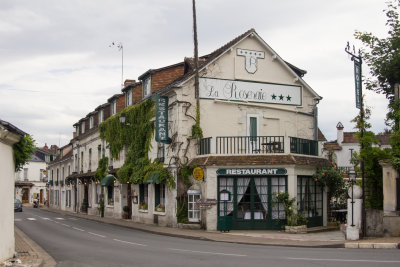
{"type": "Point", "coordinates": [242, 145]}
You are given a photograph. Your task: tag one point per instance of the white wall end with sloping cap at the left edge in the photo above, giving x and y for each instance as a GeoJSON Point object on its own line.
{"type": "Point", "coordinates": [9, 135]}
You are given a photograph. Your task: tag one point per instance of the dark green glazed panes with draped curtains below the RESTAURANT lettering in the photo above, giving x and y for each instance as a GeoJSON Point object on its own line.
{"type": "Point", "coordinates": [251, 204]}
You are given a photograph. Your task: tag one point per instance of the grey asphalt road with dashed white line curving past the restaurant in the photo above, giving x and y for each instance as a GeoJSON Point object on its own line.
{"type": "Point", "coordinates": [75, 241]}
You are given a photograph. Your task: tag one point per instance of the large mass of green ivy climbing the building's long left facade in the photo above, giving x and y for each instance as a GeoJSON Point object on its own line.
{"type": "Point", "coordinates": [136, 136]}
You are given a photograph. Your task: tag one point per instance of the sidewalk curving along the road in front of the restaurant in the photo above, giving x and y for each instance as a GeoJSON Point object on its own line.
{"type": "Point", "coordinates": [315, 238]}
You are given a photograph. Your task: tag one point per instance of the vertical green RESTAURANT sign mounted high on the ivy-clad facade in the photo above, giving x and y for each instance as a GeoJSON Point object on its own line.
{"type": "Point", "coordinates": [162, 119]}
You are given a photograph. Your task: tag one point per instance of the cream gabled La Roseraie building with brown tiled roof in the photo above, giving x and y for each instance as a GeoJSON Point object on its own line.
{"type": "Point", "coordinates": [259, 122]}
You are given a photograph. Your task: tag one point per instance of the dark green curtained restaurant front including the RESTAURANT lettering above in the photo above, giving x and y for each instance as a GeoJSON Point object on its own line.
{"type": "Point", "coordinates": [251, 202]}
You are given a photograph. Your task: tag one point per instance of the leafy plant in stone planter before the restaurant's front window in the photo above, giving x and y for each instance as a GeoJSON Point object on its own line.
{"type": "Point", "coordinates": [295, 222]}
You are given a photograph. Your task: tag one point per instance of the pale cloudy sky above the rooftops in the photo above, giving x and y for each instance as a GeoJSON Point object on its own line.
{"type": "Point", "coordinates": [56, 63]}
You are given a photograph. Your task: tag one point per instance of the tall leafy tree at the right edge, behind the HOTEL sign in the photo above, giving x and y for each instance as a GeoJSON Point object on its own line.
{"type": "Point", "coordinates": [382, 55]}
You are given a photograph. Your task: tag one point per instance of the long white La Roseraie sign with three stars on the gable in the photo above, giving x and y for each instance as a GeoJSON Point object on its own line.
{"type": "Point", "coordinates": [267, 93]}
